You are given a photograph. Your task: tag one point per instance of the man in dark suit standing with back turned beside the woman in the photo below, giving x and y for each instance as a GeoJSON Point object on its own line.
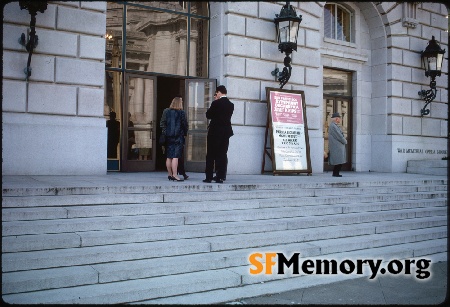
{"type": "Point", "coordinates": [219, 133]}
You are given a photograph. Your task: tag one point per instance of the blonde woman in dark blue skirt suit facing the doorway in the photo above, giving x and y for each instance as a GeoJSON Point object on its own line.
{"type": "Point", "coordinates": [174, 126]}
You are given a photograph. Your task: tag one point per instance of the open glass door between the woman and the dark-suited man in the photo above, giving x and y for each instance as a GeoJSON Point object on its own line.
{"type": "Point", "coordinates": [199, 95]}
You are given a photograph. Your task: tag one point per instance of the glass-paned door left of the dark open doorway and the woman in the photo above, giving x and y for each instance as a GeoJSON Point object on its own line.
{"type": "Point", "coordinates": [139, 123]}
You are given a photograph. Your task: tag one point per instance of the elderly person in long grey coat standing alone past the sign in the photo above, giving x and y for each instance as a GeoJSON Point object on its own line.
{"type": "Point", "coordinates": [336, 144]}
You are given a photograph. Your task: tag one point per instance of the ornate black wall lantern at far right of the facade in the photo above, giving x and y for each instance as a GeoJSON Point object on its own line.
{"type": "Point", "coordinates": [432, 59]}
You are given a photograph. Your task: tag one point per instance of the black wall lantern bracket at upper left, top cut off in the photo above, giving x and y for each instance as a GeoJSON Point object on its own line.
{"type": "Point", "coordinates": [31, 40]}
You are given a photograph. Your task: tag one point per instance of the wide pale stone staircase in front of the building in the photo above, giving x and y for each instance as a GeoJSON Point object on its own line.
{"type": "Point", "coordinates": [190, 243]}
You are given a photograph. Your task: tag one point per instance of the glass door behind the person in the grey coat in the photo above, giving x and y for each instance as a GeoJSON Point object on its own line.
{"type": "Point", "coordinates": [341, 105]}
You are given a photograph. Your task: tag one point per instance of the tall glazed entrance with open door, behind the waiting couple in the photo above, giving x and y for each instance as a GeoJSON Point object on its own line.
{"type": "Point", "coordinates": [155, 51]}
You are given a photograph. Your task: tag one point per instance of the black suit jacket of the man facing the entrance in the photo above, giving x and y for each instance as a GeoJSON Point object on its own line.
{"type": "Point", "coordinates": [220, 113]}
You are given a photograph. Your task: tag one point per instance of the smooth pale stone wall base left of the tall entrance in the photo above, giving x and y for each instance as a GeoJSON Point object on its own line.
{"type": "Point", "coordinates": [34, 144]}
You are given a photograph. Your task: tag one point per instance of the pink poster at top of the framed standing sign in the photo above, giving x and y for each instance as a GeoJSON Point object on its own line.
{"type": "Point", "coordinates": [286, 108]}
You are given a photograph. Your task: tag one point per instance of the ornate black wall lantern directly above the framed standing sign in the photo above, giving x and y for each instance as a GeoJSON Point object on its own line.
{"type": "Point", "coordinates": [287, 24]}
